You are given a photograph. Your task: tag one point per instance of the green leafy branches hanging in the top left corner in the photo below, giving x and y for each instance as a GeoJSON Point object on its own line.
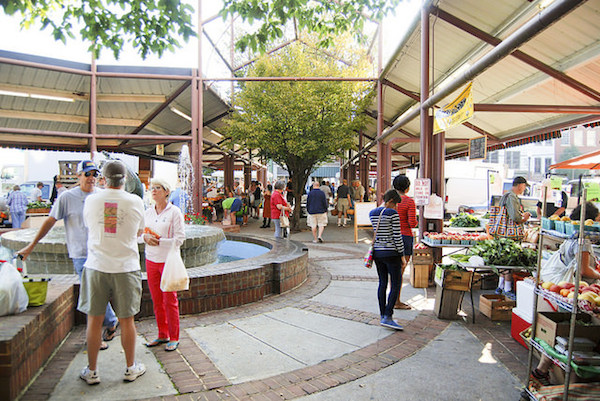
{"type": "Point", "coordinates": [152, 26]}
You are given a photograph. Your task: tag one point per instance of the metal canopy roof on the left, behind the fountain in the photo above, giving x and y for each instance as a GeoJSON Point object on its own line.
{"type": "Point", "coordinates": [41, 96]}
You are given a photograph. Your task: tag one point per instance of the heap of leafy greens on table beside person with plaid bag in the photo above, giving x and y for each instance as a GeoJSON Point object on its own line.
{"type": "Point", "coordinates": [504, 252]}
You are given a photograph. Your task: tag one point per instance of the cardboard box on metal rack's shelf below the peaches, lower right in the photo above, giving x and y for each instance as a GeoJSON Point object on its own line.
{"type": "Point", "coordinates": [553, 324]}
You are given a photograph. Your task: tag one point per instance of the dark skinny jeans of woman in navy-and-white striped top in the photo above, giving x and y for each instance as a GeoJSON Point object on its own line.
{"type": "Point", "coordinates": [388, 266]}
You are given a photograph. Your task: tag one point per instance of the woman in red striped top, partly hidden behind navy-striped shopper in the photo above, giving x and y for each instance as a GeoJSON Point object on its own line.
{"type": "Point", "coordinates": [408, 220]}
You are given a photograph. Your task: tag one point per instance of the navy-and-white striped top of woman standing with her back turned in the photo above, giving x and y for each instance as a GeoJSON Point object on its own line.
{"type": "Point", "coordinates": [388, 241]}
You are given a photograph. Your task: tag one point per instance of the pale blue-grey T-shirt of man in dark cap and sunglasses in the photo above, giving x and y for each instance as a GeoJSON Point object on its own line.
{"type": "Point", "coordinates": [69, 207]}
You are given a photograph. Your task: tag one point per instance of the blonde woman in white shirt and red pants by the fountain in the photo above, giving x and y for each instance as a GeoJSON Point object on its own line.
{"type": "Point", "coordinates": [164, 226]}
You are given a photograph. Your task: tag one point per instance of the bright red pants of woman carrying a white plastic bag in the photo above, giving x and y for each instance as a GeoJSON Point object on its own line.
{"type": "Point", "coordinates": [166, 305]}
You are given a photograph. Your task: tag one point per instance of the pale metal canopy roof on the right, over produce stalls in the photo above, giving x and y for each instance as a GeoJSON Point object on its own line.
{"type": "Point", "coordinates": [569, 48]}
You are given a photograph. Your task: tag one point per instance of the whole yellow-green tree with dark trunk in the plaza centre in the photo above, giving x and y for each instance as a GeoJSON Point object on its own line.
{"type": "Point", "coordinates": [300, 124]}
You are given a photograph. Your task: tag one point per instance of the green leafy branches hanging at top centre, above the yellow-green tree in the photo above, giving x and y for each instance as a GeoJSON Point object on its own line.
{"type": "Point", "coordinates": [326, 18]}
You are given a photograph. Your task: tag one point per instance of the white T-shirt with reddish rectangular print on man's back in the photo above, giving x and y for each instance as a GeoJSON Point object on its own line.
{"type": "Point", "coordinates": [114, 219]}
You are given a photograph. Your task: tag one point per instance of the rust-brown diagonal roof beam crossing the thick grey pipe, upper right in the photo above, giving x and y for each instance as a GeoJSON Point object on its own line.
{"type": "Point", "coordinates": [518, 54]}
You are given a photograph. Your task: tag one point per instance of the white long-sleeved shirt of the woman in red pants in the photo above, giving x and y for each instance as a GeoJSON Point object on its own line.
{"type": "Point", "coordinates": [169, 225]}
